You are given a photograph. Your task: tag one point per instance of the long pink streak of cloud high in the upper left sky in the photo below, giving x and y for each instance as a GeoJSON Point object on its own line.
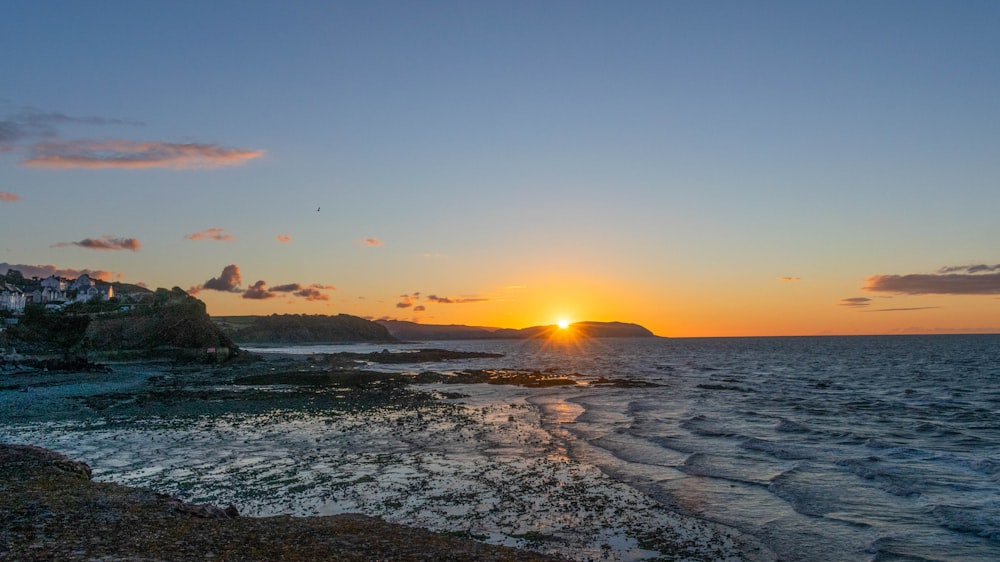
{"type": "Point", "coordinates": [131, 154]}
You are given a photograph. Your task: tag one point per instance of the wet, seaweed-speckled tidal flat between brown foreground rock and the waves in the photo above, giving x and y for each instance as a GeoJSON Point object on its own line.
{"type": "Point", "coordinates": [471, 460]}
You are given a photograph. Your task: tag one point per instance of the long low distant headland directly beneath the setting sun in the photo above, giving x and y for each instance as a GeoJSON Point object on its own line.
{"type": "Point", "coordinates": [412, 331]}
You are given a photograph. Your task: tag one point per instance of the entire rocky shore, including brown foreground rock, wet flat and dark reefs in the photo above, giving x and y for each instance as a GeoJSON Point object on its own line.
{"type": "Point", "coordinates": [301, 445]}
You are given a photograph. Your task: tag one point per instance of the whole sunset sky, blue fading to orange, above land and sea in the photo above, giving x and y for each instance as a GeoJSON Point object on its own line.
{"type": "Point", "coordinates": [723, 168]}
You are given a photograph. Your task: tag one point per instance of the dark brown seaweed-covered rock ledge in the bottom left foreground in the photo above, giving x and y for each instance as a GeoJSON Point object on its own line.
{"type": "Point", "coordinates": [51, 510]}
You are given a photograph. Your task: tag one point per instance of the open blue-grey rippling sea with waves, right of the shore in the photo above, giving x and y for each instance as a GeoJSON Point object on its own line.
{"type": "Point", "coordinates": [881, 448]}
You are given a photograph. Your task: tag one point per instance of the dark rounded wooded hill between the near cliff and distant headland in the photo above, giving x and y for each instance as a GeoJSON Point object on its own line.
{"type": "Point", "coordinates": [302, 329]}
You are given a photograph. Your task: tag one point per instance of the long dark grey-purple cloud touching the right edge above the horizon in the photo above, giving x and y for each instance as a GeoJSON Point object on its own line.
{"type": "Point", "coordinates": [972, 282]}
